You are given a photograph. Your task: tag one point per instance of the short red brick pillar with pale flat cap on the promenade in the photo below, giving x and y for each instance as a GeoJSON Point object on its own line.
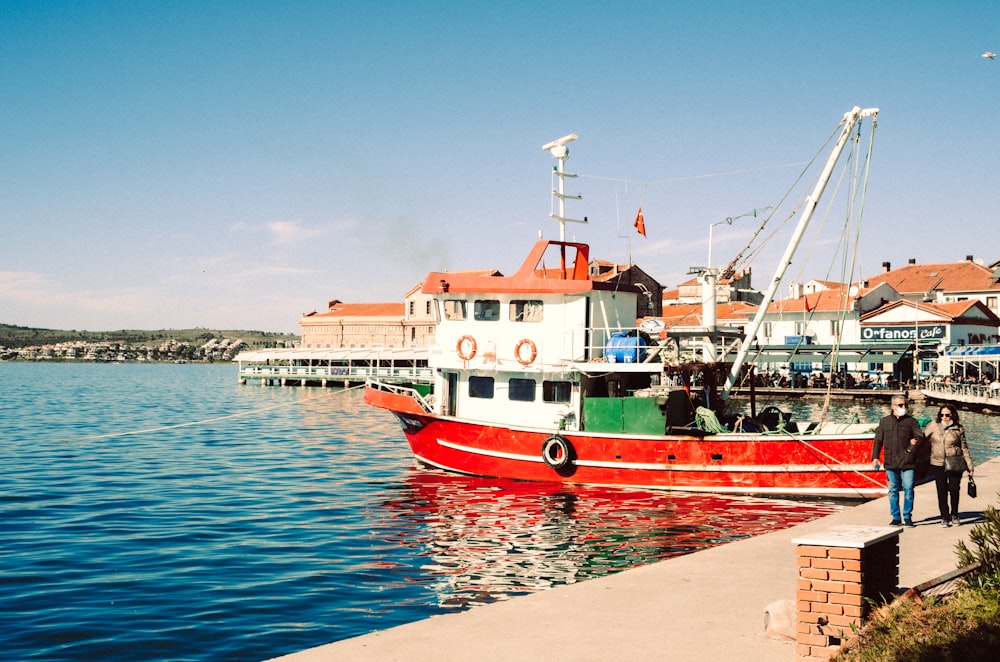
{"type": "Point", "coordinates": [842, 571]}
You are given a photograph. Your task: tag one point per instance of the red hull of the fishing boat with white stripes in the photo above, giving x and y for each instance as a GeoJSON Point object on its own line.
{"type": "Point", "coordinates": [773, 464]}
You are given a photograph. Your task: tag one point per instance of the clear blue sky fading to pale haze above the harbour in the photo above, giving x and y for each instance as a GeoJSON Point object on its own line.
{"type": "Point", "coordinates": [236, 165]}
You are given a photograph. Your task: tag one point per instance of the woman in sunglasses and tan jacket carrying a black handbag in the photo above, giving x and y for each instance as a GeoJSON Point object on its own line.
{"type": "Point", "coordinates": [949, 458]}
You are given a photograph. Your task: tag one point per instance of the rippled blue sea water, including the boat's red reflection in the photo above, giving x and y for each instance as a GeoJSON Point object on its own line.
{"type": "Point", "coordinates": [154, 512]}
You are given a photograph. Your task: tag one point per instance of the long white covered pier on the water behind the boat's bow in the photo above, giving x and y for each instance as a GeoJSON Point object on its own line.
{"type": "Point", "coordinates": [334, 367]}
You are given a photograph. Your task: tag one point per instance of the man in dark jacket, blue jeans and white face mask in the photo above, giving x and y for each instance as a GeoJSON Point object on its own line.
{"type": "Point", "coordinates": [899, 436]}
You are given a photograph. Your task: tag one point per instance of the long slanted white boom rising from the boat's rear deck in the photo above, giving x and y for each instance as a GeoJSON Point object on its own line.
{"type": "Point", "coordinates": [851, 118]}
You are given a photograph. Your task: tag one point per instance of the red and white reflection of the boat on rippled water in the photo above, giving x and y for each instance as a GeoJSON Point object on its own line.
{"type": "Point", "coordinates": [490, 539]}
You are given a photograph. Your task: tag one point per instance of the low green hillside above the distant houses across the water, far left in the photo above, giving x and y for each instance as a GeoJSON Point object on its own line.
{"type": "Point", "coordinates": [21, 336]}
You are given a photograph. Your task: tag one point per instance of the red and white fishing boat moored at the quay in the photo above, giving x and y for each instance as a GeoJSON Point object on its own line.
{"type": "Point", "coordinates": [542, 375]}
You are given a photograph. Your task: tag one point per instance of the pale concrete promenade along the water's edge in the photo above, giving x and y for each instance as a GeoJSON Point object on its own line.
{"type": "Point", "coordinates": [704, 606]}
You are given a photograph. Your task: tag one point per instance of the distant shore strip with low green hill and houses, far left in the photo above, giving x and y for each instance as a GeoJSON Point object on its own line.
{"type": "Point", "coordinates": [19, 343]}
